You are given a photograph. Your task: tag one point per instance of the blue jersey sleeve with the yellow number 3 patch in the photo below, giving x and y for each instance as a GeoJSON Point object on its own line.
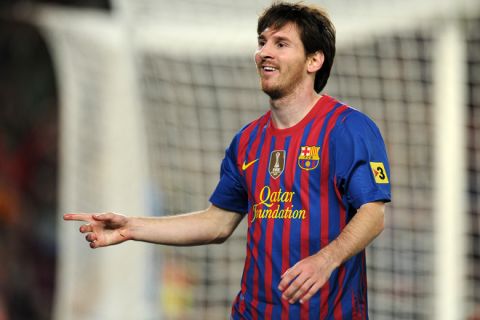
{"type": "Point", "coordinates": [362, 171]}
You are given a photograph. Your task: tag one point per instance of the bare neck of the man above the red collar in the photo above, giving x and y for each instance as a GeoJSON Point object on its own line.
{"type": "Point", "coordinates": [289, 110]}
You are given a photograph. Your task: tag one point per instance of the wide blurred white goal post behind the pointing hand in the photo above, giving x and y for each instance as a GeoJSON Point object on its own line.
{"type": "Point", "coordinates": [101, 138]}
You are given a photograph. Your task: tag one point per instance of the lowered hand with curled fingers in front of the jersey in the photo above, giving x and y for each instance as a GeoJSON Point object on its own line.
{"type": "Point", "coordinates": [305, 278]}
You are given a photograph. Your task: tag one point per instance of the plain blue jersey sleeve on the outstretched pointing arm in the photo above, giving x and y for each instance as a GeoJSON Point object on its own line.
{"type": "Point", "coordinates": [230, 193]}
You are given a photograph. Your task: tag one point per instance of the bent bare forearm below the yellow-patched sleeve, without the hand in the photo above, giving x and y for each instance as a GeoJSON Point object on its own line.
{"type": "Point", "coordinates": [365, 226]}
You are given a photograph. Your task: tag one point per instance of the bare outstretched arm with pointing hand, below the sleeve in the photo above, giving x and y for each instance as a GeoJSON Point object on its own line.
{"type": "Point", "coordinates": [212, 225]}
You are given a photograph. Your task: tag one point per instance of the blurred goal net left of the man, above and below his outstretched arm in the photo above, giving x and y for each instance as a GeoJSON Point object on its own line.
{"type": "Point", "coordinates": [194, 106]}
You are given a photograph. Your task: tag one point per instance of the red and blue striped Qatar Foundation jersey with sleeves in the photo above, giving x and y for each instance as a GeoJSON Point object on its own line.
{"type": "Point", "coordinates": [299, 187]}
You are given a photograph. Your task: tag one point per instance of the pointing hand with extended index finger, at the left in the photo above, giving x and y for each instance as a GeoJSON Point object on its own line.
{"type": "Point", "coordinates": [102, 229]}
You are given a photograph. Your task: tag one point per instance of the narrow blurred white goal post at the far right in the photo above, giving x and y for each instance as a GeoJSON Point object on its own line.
{"type": "Point", "coordinates": [450, 97]}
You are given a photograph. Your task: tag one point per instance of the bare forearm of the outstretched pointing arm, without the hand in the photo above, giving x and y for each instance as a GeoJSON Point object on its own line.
{"type": "Point", "coordinates": [196, 228]}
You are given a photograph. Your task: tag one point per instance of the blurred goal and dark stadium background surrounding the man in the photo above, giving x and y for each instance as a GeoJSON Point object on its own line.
{"type": "Point", "coordinates": [128, 106]}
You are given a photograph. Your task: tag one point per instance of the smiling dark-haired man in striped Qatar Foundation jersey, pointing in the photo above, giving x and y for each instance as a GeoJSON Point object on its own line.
{"type": "Point", "coordinates": [311, 175]}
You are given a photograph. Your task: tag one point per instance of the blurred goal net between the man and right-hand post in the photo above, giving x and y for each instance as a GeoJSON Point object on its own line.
{"type": "Point", "coordinates": [390, 79]}
